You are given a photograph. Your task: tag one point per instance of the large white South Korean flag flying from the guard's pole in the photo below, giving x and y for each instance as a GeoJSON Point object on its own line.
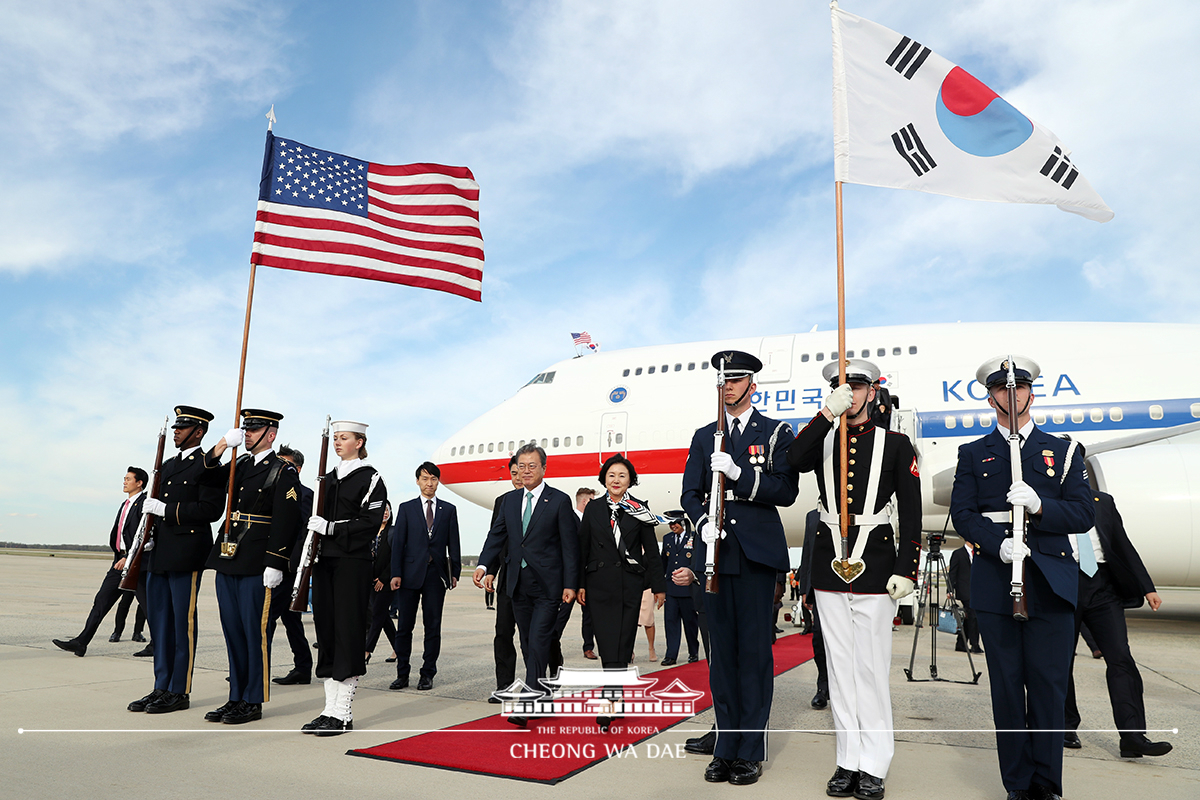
{"type": "Point", "coordinates": [907, 118]}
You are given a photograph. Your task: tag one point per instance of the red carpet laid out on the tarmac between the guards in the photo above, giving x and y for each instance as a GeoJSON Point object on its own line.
{"type": "Point", "coordinates": [556, 749]}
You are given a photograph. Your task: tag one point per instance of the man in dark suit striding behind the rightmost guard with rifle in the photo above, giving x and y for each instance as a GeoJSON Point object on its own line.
{"type": "Point", "coordinates": [1112, 579]}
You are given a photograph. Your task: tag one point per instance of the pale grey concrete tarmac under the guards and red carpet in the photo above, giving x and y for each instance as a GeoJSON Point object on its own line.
{"type": "Point", "coordinates": [67, 732]}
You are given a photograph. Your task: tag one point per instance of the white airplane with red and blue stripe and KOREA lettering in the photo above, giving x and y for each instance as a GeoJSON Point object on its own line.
{"type": "Point", "coordinates": [1126, 390]}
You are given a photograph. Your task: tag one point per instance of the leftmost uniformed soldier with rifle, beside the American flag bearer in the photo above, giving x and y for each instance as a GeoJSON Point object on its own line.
{"type": "Point", "coordinates": [191, 500]}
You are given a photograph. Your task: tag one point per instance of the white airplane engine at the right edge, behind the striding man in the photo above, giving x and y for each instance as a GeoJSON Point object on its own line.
{"type": "Point", "coordinates": [1157, 491]}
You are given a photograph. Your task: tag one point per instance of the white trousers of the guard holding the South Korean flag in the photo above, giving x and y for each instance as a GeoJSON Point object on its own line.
{"type": "Point", "coordinates": [859, 655]}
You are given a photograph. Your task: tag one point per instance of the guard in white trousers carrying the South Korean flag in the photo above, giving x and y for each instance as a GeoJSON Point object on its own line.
{"type": "Point", "coordinates": [856, 598]}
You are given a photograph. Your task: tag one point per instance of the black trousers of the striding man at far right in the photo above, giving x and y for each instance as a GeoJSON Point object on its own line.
{"type": "Point", "coordinates": [1102, 610]}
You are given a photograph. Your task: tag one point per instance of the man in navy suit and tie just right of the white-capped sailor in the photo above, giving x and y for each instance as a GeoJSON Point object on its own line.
{"type": "Point", "coordinates": [425, 563]}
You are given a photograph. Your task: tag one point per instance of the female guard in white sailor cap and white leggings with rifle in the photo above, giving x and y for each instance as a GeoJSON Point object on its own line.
{"type": "Point", "coordinates": [353, 512]}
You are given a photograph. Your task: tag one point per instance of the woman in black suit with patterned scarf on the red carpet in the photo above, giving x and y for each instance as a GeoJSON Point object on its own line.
{"type": "Point", "coordinates": [620, 555]}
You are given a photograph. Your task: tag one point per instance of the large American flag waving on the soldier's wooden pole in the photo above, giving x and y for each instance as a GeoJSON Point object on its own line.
{"type": "Point", "coordinates": [417, 225]}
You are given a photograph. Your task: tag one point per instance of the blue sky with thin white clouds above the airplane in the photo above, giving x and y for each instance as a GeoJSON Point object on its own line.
{"type": "Point", "coordinates": [650, 172]}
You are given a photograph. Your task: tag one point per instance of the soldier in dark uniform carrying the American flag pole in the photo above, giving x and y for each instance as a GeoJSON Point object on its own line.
{"type": "Point", "coordinates": [251, 557]}
